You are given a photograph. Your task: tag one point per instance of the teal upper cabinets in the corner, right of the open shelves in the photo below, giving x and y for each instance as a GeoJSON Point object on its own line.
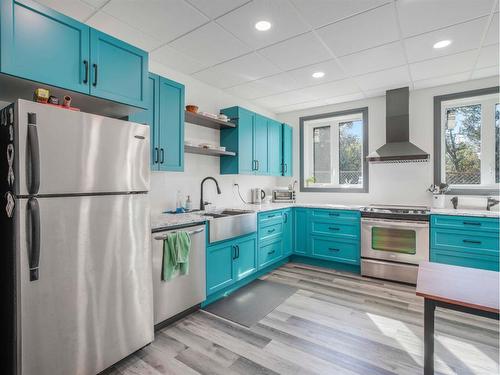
{"type": "Point", "coordinates": [263, 146]}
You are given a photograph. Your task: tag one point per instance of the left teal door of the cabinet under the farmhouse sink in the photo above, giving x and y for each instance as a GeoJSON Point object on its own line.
{"type": "Point", "coordinates": [220, 266]}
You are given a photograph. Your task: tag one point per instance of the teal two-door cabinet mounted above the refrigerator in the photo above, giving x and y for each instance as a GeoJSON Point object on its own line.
{"type": "Point", "coordinates": [42, 45]}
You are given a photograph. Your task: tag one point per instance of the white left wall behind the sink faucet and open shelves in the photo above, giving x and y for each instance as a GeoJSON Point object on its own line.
{"type": "Point", "coordinates": [164, 185]}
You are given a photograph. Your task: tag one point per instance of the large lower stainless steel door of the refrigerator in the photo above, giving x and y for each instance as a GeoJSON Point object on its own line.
{"type": "Point", "coordinates": [91, 304]}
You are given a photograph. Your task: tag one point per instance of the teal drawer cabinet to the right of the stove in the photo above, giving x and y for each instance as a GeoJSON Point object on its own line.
{"type": "Point", "coordinates": [465, 241]}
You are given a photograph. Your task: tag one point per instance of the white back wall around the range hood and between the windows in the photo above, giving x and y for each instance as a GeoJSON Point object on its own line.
{"type": "Point", "coordinates": [388, 183]}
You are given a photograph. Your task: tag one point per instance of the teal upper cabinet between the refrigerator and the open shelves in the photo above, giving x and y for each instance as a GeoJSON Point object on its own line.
{"type": "Point", "coordinates": [165, 115]}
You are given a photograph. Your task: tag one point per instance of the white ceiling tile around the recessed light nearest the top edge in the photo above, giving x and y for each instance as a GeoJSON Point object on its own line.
{"type": "Point", "coordinates": [284, 20]}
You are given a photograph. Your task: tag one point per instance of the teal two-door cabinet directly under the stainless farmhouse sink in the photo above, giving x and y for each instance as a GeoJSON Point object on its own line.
{"type": "Point", "coordinates": [230, 261]}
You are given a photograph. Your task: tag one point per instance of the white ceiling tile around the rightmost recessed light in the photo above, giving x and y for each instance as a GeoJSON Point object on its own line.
{"type": "Point", "coordinates": [465, 36]}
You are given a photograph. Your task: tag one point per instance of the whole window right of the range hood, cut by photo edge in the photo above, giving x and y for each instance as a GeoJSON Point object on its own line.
{"type": "Point", "coordinates": [467, 141]}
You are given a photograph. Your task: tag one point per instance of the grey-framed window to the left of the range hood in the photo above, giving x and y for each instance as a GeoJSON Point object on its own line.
{"type": "Point", "coordinates": [333, 151]}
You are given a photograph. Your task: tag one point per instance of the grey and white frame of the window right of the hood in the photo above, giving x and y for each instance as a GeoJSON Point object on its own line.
{"type": "Point", "coordinates": [439, 111]}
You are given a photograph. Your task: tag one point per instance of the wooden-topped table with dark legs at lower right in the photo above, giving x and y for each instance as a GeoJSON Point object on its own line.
{"type": "Point", "coordinates": [463, 289]}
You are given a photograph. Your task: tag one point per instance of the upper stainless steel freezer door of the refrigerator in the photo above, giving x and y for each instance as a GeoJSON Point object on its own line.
{"type": "Point", "coordinates": [79, 152]}
